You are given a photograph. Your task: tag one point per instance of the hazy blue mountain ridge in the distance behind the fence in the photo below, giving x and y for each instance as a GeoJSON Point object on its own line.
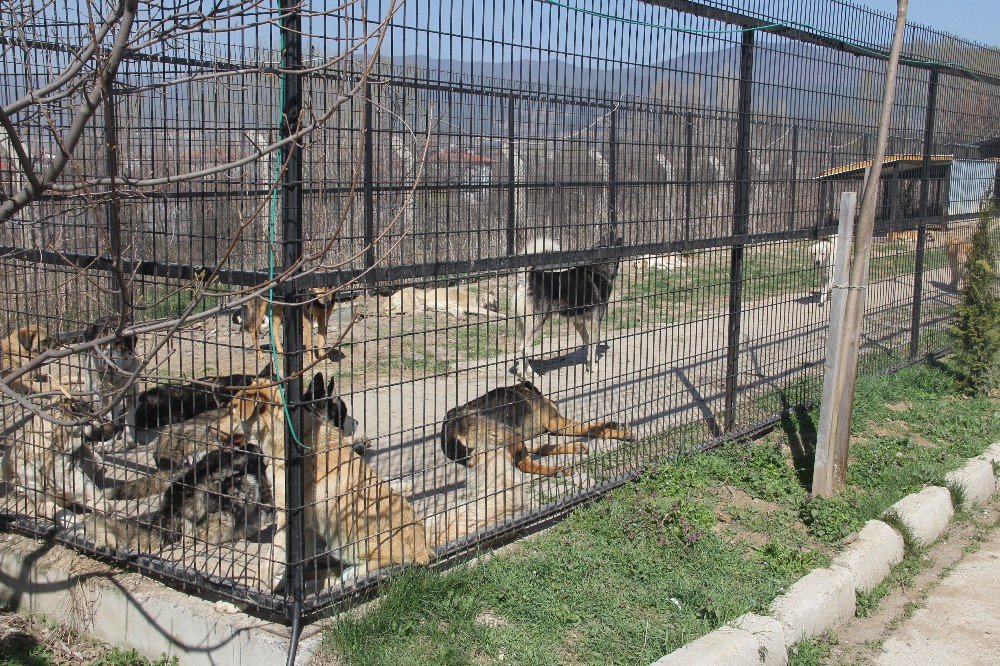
{"type": "Point", "coordinates": [797, 81]}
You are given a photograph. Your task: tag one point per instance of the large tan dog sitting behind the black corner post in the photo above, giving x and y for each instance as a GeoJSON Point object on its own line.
{"type": "Point", "coordinates": [361, 518]}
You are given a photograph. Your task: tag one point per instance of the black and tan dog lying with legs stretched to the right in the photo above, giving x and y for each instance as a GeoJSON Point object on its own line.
{"type": "Point", "coordinates": [507, 418]}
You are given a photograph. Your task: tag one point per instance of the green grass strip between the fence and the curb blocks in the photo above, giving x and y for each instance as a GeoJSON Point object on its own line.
{"type": "Point", "coordinates": [686, 548]}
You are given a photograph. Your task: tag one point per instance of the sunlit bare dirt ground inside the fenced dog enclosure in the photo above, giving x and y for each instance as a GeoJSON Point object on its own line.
{"type": "Point", "coordinates": [657, 378]}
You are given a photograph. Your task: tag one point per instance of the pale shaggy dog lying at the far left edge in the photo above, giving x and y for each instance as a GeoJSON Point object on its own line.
{"type": "Point", "coordinates": [54, 466]}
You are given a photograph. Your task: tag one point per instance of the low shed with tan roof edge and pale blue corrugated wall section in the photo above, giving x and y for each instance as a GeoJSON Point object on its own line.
{"type": "Point", "coordinates": [956, 187]}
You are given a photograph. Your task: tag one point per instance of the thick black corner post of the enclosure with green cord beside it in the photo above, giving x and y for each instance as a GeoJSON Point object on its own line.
{"type": "Point", "coordinates": [291, 237]}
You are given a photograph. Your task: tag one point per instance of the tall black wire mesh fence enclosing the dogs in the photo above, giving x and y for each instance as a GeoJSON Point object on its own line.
{"type": "Point", "coordinates": [296, 294]}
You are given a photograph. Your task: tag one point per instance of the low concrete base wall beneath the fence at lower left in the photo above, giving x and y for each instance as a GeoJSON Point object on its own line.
{"type": "Point", "coordinates": [133, 611]}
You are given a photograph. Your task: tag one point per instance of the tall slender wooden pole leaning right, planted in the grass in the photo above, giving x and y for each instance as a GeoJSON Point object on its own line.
{"type": "Point", "coordinates": [832, 446]}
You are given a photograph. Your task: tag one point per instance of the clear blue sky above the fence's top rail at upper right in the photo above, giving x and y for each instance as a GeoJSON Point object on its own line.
{"type": "Point", "coordinates": [978, 20]}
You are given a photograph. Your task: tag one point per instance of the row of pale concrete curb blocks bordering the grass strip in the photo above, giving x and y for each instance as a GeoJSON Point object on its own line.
{"type": "Point", "coordinates": [825, 598]}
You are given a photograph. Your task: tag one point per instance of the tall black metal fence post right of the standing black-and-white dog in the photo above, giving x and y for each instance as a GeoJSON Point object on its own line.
{"type": "Point", "coordinates": [741, 220]}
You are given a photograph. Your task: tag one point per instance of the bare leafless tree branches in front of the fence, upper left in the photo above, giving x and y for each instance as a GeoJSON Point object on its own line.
{"type": "Point", "coordinates": [73, 148]}
